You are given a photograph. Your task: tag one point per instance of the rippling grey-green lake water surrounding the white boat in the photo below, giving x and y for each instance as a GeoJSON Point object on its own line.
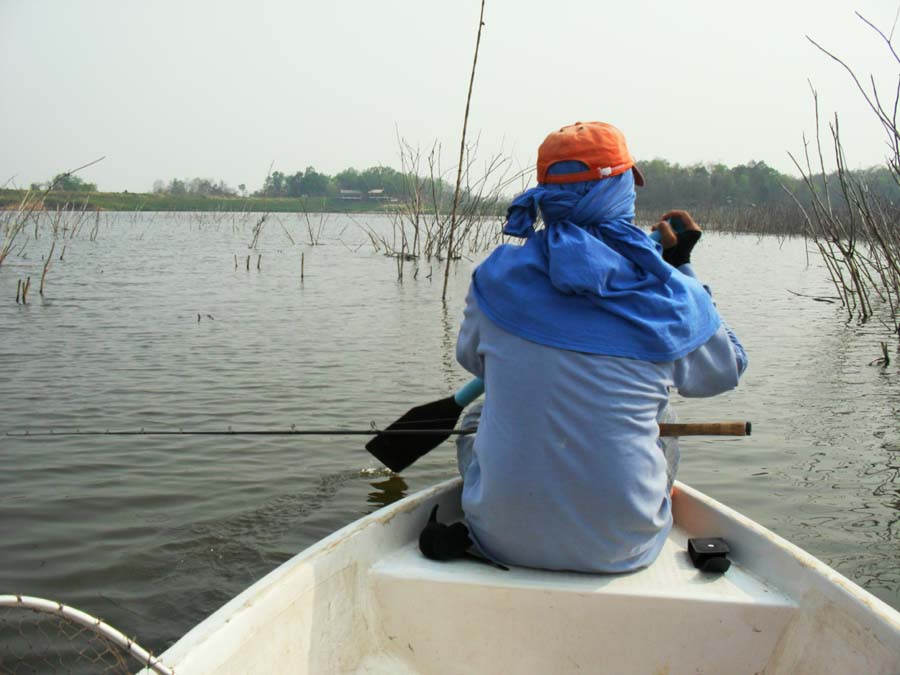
{"type": "Point", "coordinates": [154, 533]}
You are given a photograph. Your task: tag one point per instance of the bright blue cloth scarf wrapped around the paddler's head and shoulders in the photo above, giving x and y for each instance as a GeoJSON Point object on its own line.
{"type": "Point", "coordinates": [590, 281]}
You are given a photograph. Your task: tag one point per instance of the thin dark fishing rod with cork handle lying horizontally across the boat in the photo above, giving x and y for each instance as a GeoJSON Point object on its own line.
{"type": "Point", "coordinates": [686, 429]}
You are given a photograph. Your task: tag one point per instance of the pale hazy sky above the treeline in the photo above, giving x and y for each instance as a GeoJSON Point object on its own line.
{"type": "Point", "coordinates": [222, 89]}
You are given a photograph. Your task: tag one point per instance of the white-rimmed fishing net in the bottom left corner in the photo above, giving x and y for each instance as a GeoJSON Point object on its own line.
{"type": "Point", "coordinates": [42, 636]}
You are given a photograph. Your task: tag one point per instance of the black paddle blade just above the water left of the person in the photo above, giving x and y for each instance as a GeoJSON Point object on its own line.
{"type": "Point", "coordinates": [398, 451]}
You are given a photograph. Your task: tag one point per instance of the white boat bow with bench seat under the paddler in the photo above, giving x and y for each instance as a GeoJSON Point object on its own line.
{"type": "Point", "coordinates": [364, 600]}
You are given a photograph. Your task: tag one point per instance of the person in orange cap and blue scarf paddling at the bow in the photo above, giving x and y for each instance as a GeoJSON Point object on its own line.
{"type": "Point", "coordinates": [579, 334]}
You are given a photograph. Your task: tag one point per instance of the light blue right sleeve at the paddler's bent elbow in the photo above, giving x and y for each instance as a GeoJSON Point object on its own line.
{"type": "Point", "coordinates": [713, 368]}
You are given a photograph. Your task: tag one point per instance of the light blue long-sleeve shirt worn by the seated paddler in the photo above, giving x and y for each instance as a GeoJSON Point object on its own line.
{"type": "Point", "coordinates": [566, 472]}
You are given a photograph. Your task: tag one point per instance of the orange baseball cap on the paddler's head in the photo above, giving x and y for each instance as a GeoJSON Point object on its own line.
{"type": "Point", "coordinates": [598, 145]}
